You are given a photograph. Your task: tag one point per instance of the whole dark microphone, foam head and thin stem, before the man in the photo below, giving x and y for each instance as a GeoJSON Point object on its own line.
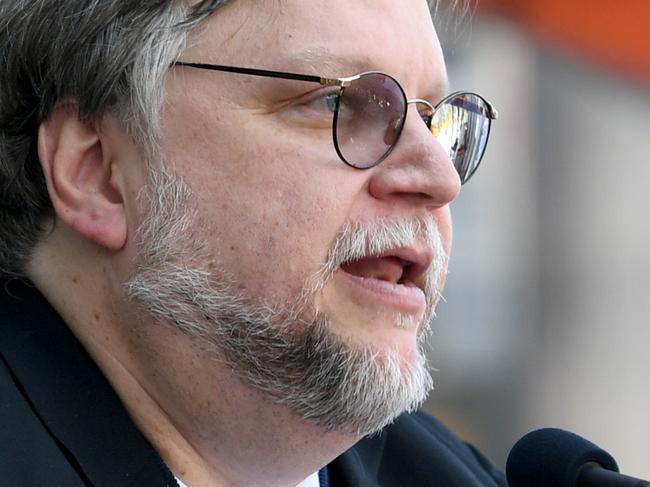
{"type": "Point", "coordinates": [552, 457]}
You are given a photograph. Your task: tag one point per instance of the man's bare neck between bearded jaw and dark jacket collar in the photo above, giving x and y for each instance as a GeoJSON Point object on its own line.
{"type": "Point", "coordinates": [209, 427]}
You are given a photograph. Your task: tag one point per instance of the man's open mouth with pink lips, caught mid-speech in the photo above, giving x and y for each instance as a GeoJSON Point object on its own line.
{"type": "Point", "coordinates": [395, 278]}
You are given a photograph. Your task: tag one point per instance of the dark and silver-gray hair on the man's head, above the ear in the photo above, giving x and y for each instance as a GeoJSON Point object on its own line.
{"type": "Point", "coordinates": [105, 56]}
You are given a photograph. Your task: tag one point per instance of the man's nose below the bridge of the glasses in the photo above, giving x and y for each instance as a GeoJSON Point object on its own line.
{"type": "Point", "coordinates": [418, 169]}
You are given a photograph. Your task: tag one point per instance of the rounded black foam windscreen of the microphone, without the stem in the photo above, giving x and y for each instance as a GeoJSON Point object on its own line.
{"type": "Point", "coordinates": [552, 457]}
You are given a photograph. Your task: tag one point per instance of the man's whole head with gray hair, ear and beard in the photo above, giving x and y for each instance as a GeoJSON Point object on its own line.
{"type": "Point", "coordinates": [216, 201]}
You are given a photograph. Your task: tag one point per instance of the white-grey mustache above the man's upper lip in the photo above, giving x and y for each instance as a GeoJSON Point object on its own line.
{"type": "Point", "coordinates": [358, 240]}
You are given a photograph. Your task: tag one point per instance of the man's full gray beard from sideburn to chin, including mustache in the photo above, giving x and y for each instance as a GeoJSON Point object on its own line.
{"type": "Point", "coordinates": [288, 351]}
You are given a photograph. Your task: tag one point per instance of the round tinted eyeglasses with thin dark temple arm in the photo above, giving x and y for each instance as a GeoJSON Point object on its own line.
{"type": "Point", "coordinates": [370, 110]}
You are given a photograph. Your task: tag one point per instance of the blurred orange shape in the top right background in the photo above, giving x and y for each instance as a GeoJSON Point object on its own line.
{"type": "Point", "coordinates": [615, 34]}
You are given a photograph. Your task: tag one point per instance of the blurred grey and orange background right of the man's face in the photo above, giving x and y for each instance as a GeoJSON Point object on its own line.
{"type": "Point", "coordinates": [548, 297]}
